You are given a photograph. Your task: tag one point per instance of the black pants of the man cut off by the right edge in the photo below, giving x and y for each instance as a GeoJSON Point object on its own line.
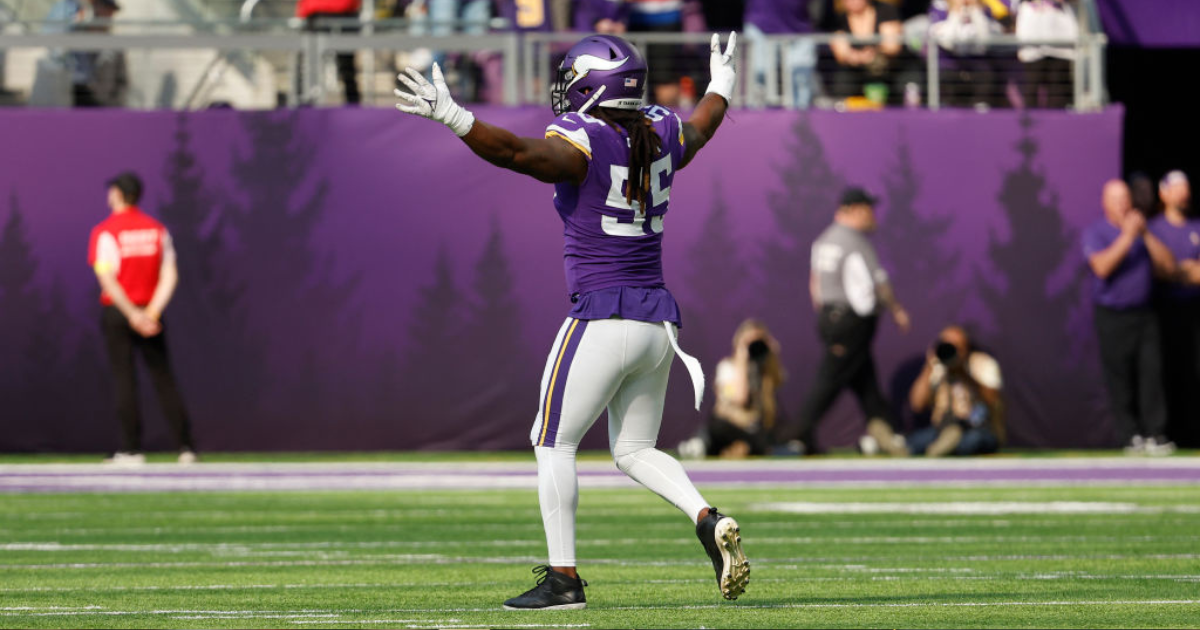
{"type": "Point", "coordinates": [1180, 326]}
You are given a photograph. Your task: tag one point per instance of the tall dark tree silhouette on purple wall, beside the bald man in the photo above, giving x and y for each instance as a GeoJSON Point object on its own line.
{"type": "Point", "coordinates": [1034, 332]}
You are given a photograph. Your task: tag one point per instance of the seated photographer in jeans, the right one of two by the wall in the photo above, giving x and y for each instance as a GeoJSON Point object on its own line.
{"type": "Point", "coordinates": [961, 386]}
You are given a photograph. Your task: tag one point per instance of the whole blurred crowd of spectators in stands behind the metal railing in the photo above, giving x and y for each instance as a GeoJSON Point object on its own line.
{"type": "Point", "coordinates": [879, 57]}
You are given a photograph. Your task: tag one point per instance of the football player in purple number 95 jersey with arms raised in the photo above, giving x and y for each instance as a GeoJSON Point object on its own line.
{"type": "Point", "coordinates": [613, 163]}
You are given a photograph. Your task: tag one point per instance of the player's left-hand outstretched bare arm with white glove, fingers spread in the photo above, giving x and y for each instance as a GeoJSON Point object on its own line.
{"type": "Point", "coordinates": [550, 160]}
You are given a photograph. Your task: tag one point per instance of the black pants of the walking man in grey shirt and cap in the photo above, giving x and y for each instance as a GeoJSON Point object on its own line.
{"type": "Point", "coordinates": [847, 363]}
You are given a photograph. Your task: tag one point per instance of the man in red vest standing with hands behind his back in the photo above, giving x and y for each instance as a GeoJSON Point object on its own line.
{"type": "Point", "coordinates": [135, 263]}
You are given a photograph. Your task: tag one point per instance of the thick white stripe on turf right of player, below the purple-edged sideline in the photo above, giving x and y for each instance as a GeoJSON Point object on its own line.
{"type": "Point", "coordinates": [964, 508]}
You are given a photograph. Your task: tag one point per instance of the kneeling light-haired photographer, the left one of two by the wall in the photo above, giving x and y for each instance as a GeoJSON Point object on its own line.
{"type": "Point", "coordinates": [747, 410]}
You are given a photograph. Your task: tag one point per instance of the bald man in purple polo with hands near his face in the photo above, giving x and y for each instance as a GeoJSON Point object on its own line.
{"type": "Point", "coordinates": [1125, 257]}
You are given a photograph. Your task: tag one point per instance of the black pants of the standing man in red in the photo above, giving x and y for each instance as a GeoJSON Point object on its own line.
{"type": "Point", "coordinates": [122, 343]}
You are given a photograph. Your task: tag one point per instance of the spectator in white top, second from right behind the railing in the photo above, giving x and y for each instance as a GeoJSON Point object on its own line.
{"type": "Point", "coordinates": [962, 29]}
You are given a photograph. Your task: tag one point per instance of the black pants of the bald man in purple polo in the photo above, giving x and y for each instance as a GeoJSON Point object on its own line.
{"type": "Point", "coordinates": [1132, 358]}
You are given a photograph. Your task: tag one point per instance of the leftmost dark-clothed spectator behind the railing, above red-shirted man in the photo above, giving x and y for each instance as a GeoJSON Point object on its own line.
{"type": "Point", "coordinates": [98, 79]}
